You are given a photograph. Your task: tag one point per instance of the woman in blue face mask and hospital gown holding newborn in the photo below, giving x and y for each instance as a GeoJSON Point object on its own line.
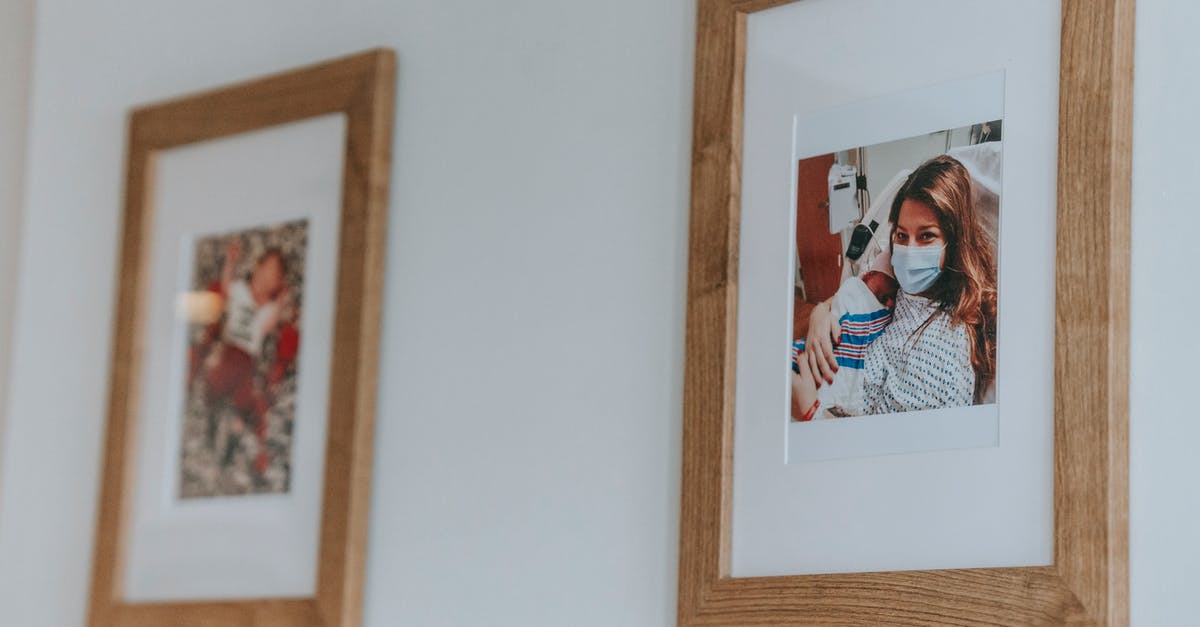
{"type": "Point", "coordinates": [940, 349]}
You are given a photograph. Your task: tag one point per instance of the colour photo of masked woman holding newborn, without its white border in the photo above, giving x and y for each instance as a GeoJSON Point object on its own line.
{"type": "Point", "coordinates": [896, 284]}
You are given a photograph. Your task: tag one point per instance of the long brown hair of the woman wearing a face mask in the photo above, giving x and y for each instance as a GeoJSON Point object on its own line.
{"type": "Point", "coordinates": [967, 290]}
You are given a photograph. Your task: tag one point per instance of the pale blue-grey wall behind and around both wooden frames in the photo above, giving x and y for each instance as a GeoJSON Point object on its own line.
{"type": "Point", "coordinates": [494, 507]}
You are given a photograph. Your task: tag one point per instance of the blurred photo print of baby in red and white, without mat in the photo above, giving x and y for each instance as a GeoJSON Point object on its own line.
{"type": "Point", "coordinates": [243, 312]}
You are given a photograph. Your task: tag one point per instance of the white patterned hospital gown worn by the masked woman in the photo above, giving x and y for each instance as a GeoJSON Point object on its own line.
{"type": "Point", "coordinates": [905, 373]}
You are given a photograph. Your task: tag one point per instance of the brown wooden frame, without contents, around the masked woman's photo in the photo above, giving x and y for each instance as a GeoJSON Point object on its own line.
{"type": "Point", "coordinates": [1088, 583]}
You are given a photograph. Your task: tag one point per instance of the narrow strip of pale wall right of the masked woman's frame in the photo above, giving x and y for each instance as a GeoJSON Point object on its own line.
{"type": "Point", "coordinates": [1165, 420]}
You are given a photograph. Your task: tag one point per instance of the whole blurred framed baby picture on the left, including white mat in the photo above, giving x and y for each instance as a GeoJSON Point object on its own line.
{"type": "Point", "coordinates": [237, 469]}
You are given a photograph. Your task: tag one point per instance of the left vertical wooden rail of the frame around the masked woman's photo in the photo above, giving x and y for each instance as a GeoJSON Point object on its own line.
{"type": "Point", "coordinates": [712, 302]}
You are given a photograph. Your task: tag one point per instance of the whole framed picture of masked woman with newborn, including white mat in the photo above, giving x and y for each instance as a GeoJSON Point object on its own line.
{"type": "Point", "coordinates": [908, 314]}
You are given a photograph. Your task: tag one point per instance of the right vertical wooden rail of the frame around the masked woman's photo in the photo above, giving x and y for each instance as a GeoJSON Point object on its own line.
{"type": "Point", "coordinates": [1093, 309]}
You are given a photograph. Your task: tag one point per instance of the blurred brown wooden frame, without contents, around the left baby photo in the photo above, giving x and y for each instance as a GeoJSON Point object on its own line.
{"type": "Point", "coordinates": [363, 88]}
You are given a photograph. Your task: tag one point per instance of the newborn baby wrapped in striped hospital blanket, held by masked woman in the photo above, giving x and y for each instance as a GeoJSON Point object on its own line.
{"type": "Point", "coordinates": [863, 309]}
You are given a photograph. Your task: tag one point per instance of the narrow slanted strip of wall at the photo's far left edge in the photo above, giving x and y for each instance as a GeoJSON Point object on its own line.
{"type": "Point", "coordinates": [16, 45]}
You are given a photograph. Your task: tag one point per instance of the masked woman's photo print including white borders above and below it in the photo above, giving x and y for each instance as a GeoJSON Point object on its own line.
{"type": "Point", "coordinates": [915, 395]}
